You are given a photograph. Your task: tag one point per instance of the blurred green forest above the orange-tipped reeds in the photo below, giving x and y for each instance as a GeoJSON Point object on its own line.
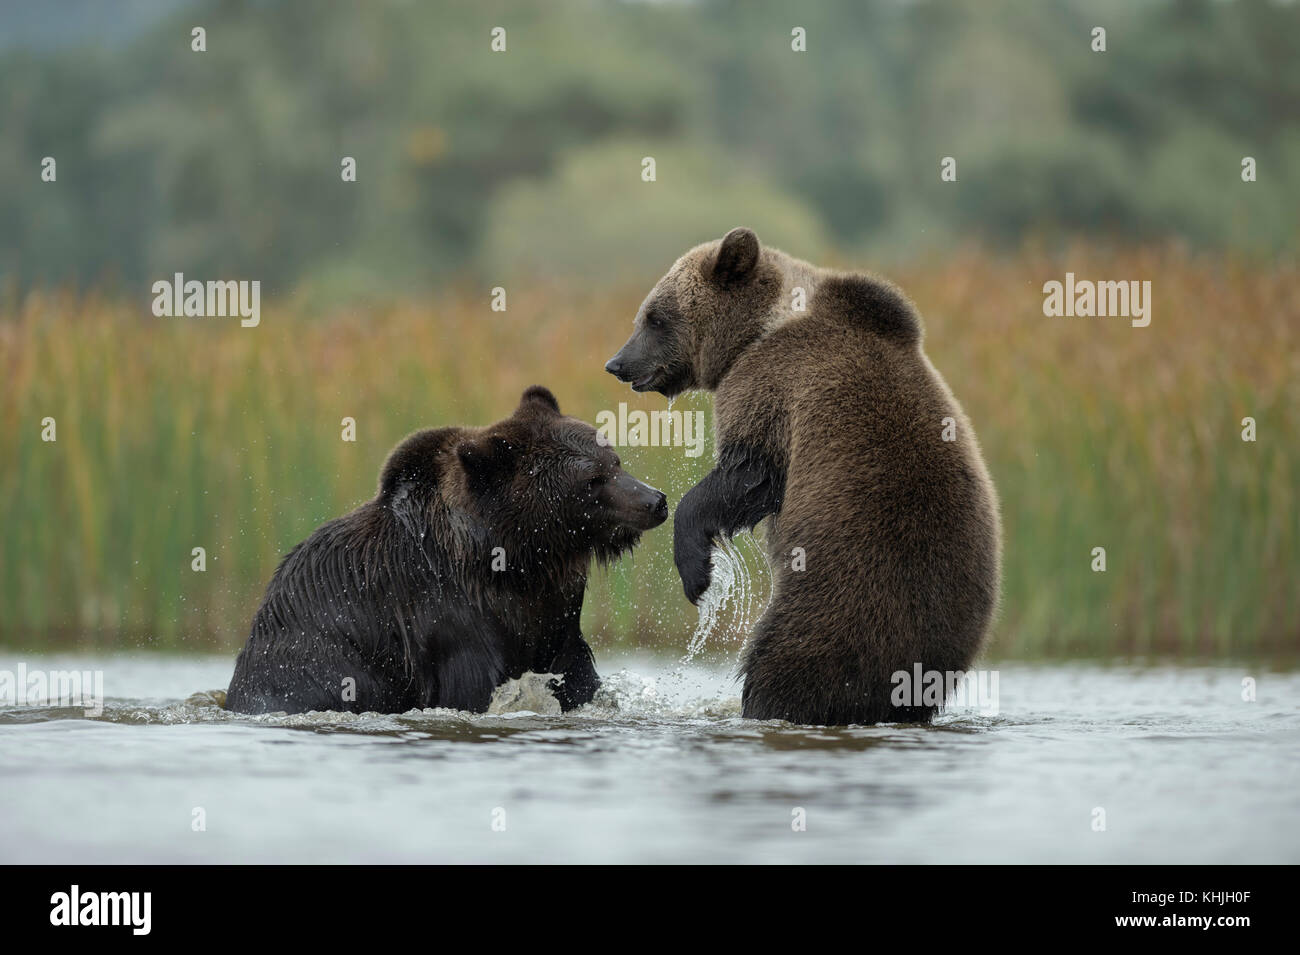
{"type": "Point", "coordinates": [483, 167]}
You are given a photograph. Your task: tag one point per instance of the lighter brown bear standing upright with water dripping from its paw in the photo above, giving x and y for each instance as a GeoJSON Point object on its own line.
{"type": "Point", "coordinates": [883, 532]}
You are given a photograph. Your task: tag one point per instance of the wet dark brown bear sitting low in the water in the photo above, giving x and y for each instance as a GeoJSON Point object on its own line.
{"type": "Point", "coordinates": [467, 570]}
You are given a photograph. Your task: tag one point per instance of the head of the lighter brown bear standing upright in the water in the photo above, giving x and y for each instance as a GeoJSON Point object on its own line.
{"type": "Point", "coordinates": [712, 305]}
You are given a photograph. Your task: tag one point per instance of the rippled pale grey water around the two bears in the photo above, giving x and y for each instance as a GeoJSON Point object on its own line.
{"type": "Point", "coordinates": [661, 769]}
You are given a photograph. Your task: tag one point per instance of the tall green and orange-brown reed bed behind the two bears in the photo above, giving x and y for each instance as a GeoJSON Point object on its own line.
{"type": "Point", "coordinates": [183, 433]}
